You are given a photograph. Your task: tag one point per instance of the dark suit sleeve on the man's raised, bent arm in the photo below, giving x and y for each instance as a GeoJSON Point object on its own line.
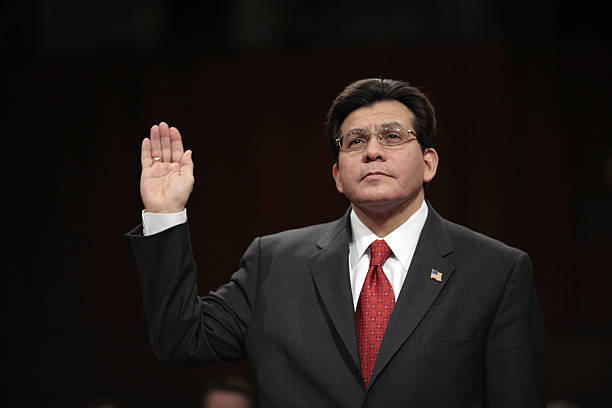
{"type": "Point", "coordinates": [182, 325]}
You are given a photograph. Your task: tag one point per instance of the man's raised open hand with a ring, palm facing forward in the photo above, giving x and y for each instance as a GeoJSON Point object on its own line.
{"type": "Point", "coordinates": [167, 179]}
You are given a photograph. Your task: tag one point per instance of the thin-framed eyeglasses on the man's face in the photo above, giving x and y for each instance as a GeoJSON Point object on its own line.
{"type": "Point", "coordinates": [388, 136]}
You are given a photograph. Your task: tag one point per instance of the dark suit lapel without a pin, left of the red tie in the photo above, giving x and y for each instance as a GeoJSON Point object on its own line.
{"type": "Point", "coordinates": [329, 268]}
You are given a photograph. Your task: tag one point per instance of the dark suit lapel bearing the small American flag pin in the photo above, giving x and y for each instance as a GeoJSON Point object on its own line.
{"type": "Point", "coordinates": [419, 290]}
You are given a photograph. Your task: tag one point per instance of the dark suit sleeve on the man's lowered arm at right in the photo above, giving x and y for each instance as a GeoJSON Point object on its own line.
{"type": "Point", "coordinates": [515, 369]}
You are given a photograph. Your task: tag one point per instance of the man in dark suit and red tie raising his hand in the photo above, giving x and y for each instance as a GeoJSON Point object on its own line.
{"type": "Point", "coordinates": [389, 306]}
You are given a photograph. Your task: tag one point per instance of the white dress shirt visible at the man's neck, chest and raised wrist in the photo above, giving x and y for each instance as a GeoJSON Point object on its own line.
{"type": "Point", "coordinates": [402, 241]}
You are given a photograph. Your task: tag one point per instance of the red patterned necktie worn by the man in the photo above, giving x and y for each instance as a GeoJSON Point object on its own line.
{"type": "Point", "coordinates": [374, 308]}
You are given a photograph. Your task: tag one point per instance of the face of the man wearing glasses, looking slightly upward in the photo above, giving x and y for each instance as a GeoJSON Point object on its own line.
{"type": "Point", "coordinates": [383, 178]}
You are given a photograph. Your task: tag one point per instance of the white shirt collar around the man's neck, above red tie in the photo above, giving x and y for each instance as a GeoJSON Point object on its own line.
{"type": "Point", "coordinates": [402, 240]}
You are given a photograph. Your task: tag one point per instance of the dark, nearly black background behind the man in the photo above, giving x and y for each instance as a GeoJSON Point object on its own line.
{"type": "Point", "coordinates": [522, 92]}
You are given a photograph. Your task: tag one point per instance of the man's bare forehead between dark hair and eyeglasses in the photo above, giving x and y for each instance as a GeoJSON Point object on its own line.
{"type": "Point", "coordinates": [370, 117]}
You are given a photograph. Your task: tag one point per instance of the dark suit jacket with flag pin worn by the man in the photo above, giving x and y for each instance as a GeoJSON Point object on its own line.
{"type": "Point", "coordinates": [472, 340]}
